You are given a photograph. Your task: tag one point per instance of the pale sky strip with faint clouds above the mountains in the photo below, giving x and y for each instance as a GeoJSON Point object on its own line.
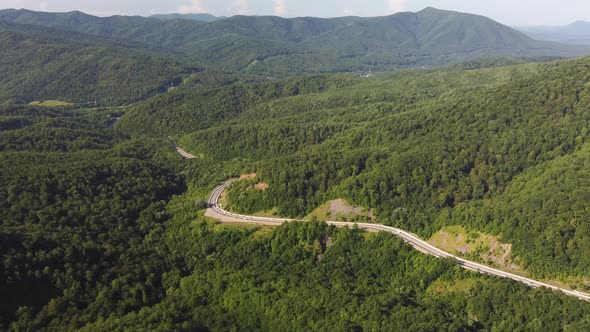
{"type": "Point", "coordinates": [512, 12]}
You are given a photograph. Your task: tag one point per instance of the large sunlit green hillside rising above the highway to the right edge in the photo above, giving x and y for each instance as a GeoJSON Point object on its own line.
{"type": "Point", "coordinates": [424, 149]}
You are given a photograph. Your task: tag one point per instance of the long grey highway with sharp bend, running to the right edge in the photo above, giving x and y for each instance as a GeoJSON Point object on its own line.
{"type": "Point", "coordinates": [216, 211]}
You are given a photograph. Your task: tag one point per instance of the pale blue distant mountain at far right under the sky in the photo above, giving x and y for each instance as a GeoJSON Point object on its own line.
{"type": "Point", "coordinates": [575, 33]}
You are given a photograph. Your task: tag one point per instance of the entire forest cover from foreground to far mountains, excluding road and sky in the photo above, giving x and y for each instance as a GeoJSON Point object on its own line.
{"type": "Point", "coordinates": [102, 222]}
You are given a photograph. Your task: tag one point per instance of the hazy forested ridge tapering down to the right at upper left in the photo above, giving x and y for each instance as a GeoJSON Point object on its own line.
{"type": "Point", "coordinates": [38, 63]}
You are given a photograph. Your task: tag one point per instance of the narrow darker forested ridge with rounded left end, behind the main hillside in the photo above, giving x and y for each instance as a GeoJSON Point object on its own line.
{"type": "Point", "coordinates": [182, 111]}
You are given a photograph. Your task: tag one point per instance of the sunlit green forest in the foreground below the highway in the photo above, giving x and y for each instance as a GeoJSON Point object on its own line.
{"type": "Point", "coordinates": [308, 276]}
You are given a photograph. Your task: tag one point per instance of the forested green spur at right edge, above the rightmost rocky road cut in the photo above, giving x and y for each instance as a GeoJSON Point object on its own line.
{"type": "Point", "coordinates": [544, 211]}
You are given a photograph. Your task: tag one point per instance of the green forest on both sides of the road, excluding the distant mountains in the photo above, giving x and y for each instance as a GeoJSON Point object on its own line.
{"type": "Point", "coordinates": [103, 227]}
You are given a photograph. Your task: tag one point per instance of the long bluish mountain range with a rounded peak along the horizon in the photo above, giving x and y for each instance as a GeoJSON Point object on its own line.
{"type": "Point", "coordinates": [277, 46]}
